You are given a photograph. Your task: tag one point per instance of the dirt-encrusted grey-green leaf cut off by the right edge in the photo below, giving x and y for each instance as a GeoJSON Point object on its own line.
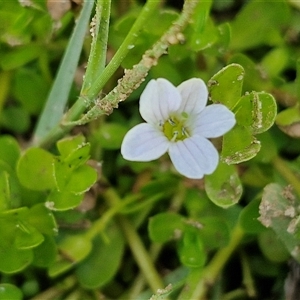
{"type": "Point", "coordinates": [278, 210]}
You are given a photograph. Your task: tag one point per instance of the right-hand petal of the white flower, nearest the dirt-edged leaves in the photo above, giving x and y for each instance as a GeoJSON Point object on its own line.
{"type": "Point", "coordinates": [214, 121]}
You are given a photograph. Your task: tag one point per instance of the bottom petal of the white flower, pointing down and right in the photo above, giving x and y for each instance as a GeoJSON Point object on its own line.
{"type": "Point", "coordinates": [194, 157]}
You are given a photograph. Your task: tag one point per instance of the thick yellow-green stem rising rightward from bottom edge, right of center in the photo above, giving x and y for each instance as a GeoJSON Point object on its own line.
{"type": "Point", "coordinates": [206, 278]}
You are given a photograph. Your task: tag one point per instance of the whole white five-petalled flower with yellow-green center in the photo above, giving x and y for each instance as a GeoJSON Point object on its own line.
{"type": "Point", "coordinates": [180, 123]}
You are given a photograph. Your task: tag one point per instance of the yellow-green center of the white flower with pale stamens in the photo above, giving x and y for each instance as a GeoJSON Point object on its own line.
{"type": "Point", "coordinates": [174, 130]}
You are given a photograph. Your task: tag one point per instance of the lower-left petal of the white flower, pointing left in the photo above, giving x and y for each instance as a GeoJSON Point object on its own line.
{"type": "Point", "coordinates": [144, 143]}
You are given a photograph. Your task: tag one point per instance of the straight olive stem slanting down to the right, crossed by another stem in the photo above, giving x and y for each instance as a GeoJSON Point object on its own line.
{"type": "Point", "coordinates": [138, 250]}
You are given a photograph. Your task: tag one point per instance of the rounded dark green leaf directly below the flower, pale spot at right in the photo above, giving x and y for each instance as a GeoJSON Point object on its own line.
{"type": "Point", "coordinates": [165, 226]}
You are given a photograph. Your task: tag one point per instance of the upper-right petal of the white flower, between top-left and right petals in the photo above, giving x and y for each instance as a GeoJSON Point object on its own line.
{"type": "Point", "coordinates": [194, 96]}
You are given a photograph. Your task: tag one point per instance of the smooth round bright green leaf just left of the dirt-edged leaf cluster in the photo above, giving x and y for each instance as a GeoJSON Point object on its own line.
{"type": "Point", "coordinates": [35, 169]}
